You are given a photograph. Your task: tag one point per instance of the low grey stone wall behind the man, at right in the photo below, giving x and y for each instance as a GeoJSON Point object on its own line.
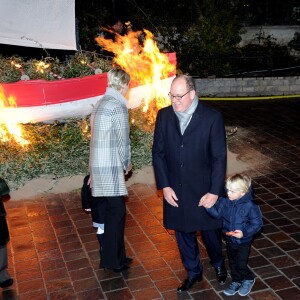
{"type": "Point", "coordinates": [238, 87]}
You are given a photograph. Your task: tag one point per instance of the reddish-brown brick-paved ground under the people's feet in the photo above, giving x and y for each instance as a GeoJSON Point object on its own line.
{"type": "Point", "coordinates": [53, 252]}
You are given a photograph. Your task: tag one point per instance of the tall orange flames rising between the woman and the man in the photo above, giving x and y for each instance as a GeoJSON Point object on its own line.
{"type": "Point", "coordinates": [146, 65]}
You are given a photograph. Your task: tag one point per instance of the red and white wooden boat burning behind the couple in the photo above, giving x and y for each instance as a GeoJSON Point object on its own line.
{"type": "Point", "coordinates": [46, 101]}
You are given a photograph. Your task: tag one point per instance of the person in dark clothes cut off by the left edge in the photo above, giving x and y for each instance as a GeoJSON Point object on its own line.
{"type": "Point", "coordinates": [5, 280]}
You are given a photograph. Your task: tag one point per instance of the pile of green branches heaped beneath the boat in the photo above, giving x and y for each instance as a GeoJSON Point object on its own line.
{"type": "Point", "coordinates": [62, 149]}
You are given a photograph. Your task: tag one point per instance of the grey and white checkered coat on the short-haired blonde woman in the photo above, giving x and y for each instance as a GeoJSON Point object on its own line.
{"type": "Point", "coordinates": [110, 145]}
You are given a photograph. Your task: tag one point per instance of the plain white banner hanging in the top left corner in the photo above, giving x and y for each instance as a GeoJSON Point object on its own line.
{"type": "Point", "coordinates": [48, 24]}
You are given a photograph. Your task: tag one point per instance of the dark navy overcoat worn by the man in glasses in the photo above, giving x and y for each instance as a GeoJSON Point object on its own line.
{"type": "Point", "coordinates": [192, 164]}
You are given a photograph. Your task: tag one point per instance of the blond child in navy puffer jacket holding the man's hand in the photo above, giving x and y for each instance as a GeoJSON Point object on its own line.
{"type": "Point", "coordinates": [242, 219]}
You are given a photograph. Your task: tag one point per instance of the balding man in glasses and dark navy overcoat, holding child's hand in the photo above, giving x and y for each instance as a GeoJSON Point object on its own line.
{"type": "Point", "coordinates": [189, 159]}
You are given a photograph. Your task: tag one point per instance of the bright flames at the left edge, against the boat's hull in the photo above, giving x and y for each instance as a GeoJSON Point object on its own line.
{"type": "Point", "coordinates": [10, 128]}
